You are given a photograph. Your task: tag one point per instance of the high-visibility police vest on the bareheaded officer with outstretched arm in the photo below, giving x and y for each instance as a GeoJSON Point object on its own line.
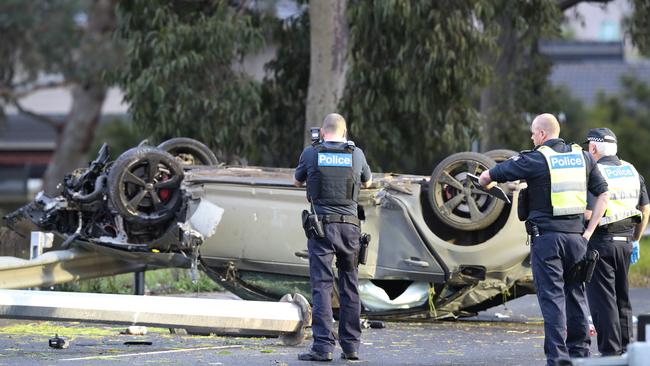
{"type": "Point", "coordinates": [568, 180]}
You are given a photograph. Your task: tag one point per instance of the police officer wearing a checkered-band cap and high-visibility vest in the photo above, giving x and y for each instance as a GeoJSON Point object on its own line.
{"type": "Point", "coordinates": [622, 224]}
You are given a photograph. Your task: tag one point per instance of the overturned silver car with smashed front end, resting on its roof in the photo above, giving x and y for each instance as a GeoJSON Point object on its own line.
{"type": "Point", "coordinates": [440, 248]}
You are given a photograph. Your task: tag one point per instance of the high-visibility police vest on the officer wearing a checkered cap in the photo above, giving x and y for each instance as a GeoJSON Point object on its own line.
{"type": "Point", "coordinates": [624, 189]}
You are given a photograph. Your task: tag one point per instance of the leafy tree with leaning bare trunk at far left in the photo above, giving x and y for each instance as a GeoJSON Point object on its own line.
{"type": "Point", "coordinates": [52, 38]}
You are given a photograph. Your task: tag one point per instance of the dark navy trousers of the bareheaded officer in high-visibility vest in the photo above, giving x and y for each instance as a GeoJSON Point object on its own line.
{"type": "Point", "coordinates": [563, 304]}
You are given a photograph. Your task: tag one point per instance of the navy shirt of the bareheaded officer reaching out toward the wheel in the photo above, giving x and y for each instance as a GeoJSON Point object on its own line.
{"type": "Point", "coordinates": [532, 167]}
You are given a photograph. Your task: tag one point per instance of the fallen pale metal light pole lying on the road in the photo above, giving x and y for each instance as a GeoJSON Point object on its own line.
{"type": "Point", "coordinates": [286, 318]}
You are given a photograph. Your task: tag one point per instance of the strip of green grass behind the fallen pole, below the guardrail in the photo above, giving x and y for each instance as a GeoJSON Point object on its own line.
{"type": "Point", "coordinates": [162, 281]}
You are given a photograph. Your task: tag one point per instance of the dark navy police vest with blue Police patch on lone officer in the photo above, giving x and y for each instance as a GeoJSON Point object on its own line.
{"type": "Point", "coordinates": [334, 182]}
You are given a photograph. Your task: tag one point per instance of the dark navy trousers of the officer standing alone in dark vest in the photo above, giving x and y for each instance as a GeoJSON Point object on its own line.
{"type": "Point", "coordinates": [341, 240]}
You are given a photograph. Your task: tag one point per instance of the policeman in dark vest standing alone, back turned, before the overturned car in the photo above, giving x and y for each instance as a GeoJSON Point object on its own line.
{"type": "Point", "coordinates": [334, 170]}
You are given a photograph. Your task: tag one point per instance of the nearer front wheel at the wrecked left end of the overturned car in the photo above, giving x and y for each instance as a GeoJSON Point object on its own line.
{"type": "Point", "coordinates": [144, 185]}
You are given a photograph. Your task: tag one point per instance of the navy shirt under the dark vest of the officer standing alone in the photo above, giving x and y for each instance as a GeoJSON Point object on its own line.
{"type": "Point", "coordinates": [306, 166]}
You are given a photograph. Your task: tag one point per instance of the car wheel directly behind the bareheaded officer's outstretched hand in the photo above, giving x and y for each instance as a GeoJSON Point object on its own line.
{"type": "Point", "coordinates": [454, 199]}
